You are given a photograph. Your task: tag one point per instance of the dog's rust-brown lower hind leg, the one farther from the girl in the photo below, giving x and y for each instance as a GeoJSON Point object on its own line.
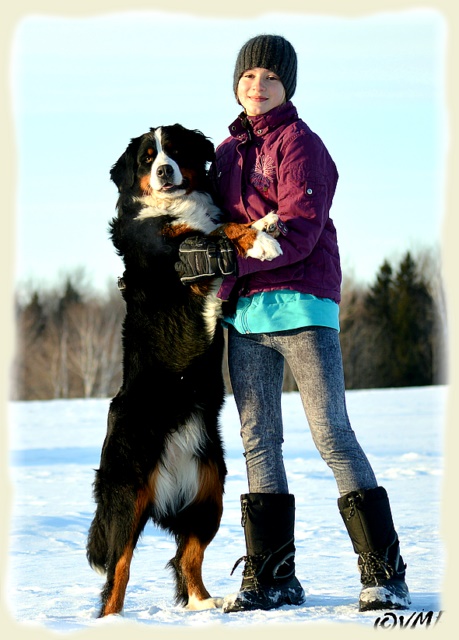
{"type": "Point", "coordinates": [124, 529]}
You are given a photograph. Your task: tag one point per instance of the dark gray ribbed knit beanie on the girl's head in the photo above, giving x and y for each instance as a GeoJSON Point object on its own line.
{"type": "Point", "coordinates": [268, 52]}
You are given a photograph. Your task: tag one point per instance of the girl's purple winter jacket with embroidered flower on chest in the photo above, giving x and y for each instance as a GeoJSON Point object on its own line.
{"type": "Point", "coordinates": [276, 163]}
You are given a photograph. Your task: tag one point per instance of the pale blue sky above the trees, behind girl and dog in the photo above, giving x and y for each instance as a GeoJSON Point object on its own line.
{"type": "Point", "coordinates": [372, 88]}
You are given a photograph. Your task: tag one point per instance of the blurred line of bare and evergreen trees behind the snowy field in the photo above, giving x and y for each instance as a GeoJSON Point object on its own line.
{"type": "Point", "coordinates": [393, 333]}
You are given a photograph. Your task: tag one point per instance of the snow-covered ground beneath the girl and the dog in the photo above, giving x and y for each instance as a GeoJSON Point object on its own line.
{"type": "Point", "coordinates": [55, 446]}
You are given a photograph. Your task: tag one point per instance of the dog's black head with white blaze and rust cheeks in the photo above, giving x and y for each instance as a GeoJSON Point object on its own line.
{"type": "Point", "coordinates": [169, 161]}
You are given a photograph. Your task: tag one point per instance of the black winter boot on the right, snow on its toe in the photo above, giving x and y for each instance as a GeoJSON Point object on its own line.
{"type": "Point", "coordinates": [368, 520]}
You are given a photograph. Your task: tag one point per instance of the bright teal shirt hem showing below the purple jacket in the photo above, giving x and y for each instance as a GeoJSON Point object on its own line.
{"type": "Point", "coordinates": [282, 310]}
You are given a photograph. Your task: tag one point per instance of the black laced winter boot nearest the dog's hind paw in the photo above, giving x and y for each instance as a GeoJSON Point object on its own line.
{"type": "Point", "coordinates": [269, 575]}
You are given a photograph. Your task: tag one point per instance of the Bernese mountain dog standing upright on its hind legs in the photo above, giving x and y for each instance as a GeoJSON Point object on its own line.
{"type": "Point", "coordinates": [162, 457]}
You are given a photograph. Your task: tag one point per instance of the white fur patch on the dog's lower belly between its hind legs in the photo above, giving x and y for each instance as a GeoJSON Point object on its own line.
{"type": "Point", "coordinates": [176, 480]}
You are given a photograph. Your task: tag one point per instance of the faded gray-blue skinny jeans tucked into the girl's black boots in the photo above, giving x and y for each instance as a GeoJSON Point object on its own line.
{"type": "Point", "coordinates": [256, 365]}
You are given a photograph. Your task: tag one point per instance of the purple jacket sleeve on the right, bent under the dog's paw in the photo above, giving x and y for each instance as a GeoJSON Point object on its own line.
{"type": "Point", "coordinates": [307, 182]}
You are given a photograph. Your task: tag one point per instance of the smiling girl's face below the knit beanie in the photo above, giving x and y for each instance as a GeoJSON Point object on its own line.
{"type": "Point", "coordinates": [260, 90]}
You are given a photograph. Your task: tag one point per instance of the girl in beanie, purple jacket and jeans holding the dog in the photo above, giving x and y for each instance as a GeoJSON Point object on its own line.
{"type": "Point", "coordinates": [287, 309]}
